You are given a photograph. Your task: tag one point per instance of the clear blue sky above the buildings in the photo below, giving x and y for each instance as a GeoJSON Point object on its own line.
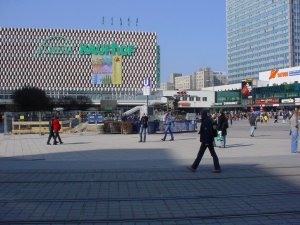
{"type": "Point", "coordinates": [191, 33]}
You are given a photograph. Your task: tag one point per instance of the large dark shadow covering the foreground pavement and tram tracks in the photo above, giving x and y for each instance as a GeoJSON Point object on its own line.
{"type": "Point", "coordinates": [78, 192]}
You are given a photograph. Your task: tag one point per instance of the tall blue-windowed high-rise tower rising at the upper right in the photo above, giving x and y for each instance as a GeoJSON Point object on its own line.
{"type": "Point", "coordinates": [261, 35]}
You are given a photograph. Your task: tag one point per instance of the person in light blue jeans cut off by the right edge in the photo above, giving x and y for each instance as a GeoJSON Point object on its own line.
{"type": "Point", "coordinates": [294, 130]}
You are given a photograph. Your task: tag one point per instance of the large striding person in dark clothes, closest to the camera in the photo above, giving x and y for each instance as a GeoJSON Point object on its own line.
{"type": "Point", "coordinates": [206, 139]}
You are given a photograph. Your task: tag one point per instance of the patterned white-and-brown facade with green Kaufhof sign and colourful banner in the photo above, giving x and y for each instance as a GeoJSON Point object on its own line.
{"type": "Point", "coordinates": [71, 62]}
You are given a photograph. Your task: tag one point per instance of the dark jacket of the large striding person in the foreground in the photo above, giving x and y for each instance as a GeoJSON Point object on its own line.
{"type": "Point", "coordinates": [206, 129]}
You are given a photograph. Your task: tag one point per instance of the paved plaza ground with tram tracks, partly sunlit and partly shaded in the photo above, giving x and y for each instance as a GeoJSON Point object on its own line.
{"type": "Point", "coordinates": [114, 180]}
